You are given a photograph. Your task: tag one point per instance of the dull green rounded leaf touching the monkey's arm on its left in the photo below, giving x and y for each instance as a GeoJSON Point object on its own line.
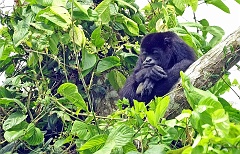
{"type": "Point", "coordinates": [116, 79]}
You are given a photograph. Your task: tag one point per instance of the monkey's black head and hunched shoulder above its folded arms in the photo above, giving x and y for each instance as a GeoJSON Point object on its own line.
{"type": "Point", "coordinates": [164, 49]}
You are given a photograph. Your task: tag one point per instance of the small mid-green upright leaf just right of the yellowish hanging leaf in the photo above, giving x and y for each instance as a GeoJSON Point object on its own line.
{"type": "Point", "coordinates": [96, 38]}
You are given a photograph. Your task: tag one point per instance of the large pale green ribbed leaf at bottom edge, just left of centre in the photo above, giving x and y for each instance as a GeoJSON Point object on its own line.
{"type": "Point", "coordinates": [117, 138]}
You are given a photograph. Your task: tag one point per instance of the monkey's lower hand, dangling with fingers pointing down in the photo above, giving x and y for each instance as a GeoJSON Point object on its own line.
{"type": "Point", "coordinates": [145, 88]}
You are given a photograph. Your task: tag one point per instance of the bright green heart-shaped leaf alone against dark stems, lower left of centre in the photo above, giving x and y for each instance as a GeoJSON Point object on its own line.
{"type": "Point", "coordinates": [70, 91]}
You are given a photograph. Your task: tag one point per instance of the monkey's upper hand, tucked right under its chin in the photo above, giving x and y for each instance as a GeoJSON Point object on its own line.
{"type": "Point", "coordinates": [157, 73]}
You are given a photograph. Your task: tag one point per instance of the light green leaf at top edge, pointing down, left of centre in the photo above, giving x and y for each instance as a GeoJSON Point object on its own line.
{"type": "Point", "coordinates": [103, 11]}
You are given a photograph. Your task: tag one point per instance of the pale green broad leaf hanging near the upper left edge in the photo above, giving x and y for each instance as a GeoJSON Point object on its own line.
{"type": "Point", "coordinates": [21, 32]}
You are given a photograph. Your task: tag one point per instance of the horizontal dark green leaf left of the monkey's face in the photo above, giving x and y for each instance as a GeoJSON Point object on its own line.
{"type": "Point", "coordinates": [107, 63]}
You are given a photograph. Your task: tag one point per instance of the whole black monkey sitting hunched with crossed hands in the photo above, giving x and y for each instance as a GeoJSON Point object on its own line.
{"type": "Point", "coordinates": [163, 56]}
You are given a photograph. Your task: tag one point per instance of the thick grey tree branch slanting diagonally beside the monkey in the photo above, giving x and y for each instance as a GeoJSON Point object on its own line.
{"type": "Point", "coordinates": [206, 71]}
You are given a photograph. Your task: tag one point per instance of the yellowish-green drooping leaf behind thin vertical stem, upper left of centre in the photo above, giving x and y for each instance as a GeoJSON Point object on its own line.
{"type": "Point", "coordinates": [77, 36]}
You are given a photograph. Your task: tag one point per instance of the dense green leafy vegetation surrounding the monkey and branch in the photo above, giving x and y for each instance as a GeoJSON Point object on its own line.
{"type": "Point", "coordinates": [59, 56]}
